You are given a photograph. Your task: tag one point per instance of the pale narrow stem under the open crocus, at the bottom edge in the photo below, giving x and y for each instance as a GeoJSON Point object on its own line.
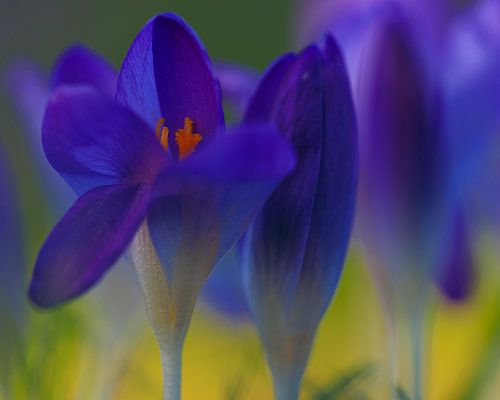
{"type": "Point", "coordinates": [171, 360]}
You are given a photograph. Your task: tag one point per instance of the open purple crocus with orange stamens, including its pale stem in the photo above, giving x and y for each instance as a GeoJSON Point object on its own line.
{"type": "Point", "coordinates": [155, 169]}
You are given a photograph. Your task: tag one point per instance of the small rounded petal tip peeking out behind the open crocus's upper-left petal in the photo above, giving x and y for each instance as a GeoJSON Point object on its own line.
{"type": "Point", "coordinates": [78, 65]}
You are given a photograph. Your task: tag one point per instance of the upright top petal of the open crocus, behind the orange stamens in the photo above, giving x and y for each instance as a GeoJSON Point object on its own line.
{"type": "Point", "coordinates": [167, 73]}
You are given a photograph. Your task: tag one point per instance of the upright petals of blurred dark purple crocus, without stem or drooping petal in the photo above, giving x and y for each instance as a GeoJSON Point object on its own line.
{"type": "Point", "coordinates": [404, 160]}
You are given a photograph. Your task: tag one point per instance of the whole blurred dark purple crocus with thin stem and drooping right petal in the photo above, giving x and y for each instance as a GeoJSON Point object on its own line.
{"type": "Point", "coordinates": [410, 217]}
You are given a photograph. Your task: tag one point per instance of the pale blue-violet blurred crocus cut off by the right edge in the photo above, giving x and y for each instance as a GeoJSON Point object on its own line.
{"type": "Point", "coordinates": [471, 82]}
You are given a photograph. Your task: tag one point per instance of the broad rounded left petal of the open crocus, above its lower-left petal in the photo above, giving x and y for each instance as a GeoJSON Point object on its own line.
{"type": "Point", "coordinates": [91, 141]}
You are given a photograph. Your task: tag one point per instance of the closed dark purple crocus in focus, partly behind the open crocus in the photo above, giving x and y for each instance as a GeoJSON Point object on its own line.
{"type": "Point", "coordinates": [296, 246]}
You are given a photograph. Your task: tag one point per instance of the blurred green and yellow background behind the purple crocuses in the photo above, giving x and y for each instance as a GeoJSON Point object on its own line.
{"type": "Point", "coordinates": [75, 353]}
